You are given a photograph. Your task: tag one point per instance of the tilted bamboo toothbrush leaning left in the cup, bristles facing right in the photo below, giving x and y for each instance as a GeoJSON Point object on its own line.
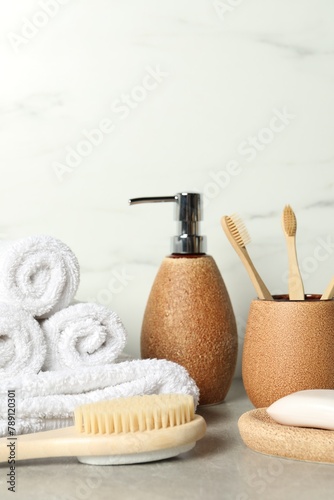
{"type": "Point", "coordinates": [239, 238]}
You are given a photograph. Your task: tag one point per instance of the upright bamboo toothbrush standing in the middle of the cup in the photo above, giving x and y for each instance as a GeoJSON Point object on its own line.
{"type": "Point", "coordinates": [289, 222]}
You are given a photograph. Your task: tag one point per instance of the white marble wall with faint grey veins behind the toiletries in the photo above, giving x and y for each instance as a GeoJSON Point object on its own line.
{"type": "Point", "coordinates": [184, 95]}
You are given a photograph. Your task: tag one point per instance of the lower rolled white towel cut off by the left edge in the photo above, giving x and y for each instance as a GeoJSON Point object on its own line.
{"type": "Point", "coordinates": [22, 343]}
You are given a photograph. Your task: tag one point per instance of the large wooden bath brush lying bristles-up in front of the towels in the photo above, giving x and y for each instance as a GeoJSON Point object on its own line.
{"type": "Point", "coordinates": [121, 431]}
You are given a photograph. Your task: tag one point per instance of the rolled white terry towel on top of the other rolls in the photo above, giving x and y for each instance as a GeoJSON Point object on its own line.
{"type": "Point", "coordinates": [39, 274]}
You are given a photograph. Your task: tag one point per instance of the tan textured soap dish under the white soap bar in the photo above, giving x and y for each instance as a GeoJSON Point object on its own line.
{"type": "Point", "coordinates": [262, 434]}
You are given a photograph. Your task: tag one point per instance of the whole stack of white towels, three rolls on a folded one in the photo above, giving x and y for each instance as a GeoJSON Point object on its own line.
{"type": "Point", "coordinates": [56, 354]}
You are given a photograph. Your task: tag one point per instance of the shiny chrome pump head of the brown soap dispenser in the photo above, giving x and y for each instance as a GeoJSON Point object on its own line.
{"type": "Point", "coordinates": [188, 213]}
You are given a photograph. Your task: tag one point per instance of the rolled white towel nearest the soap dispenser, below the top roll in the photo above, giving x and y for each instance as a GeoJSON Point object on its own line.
{"type": "Point", "coordinates": [83, 334]}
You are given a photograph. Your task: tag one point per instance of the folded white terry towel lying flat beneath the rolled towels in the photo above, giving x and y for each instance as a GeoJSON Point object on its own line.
{"type": "Point", "coordinates": [47, 400]}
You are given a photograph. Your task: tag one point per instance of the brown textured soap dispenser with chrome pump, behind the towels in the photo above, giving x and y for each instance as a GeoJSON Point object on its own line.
{"type": "Point", "coordinates": [189, 317]}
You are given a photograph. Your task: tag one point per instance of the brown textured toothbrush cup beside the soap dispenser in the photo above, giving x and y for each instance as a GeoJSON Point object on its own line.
{"type": "Point", "coordinates": [288, 347]}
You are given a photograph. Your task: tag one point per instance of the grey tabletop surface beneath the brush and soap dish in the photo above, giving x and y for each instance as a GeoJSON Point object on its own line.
{"type": "Point", "coordinates": [219, 467]}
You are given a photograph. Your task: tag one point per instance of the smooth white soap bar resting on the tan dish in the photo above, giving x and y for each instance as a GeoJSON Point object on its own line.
{"type": "Point", "coordinates": [310, 408]}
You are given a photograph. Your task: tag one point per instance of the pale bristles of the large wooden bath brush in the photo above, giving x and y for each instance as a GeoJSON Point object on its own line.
{"type": "Point", "coordinates": [134, 414]}
